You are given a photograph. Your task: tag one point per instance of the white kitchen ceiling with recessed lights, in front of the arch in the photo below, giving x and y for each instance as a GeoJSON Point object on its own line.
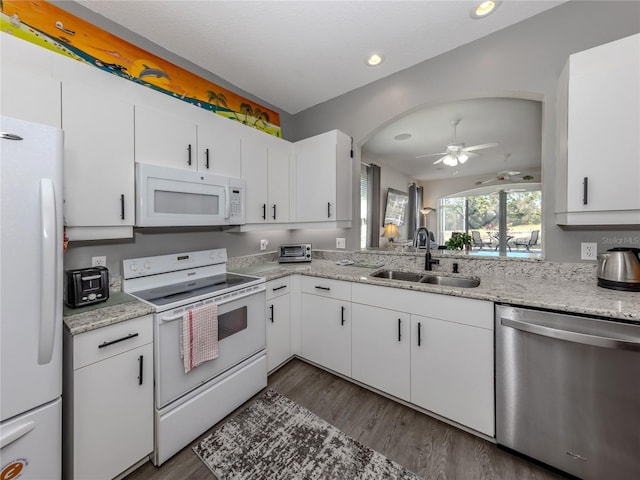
{"type": "Point", "coordinates": [297, 54]}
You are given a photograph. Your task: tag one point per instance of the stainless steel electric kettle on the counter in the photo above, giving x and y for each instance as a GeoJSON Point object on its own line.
{"type": "Point", "coordinates": [619, 268]}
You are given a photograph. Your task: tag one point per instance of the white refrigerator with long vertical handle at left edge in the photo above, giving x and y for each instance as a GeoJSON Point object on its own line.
{"type": "Point", "coordinates": [31, 300]}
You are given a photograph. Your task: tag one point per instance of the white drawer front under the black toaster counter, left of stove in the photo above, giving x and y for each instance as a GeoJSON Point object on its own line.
{"type": "Point", "coordinates": [106, 342]}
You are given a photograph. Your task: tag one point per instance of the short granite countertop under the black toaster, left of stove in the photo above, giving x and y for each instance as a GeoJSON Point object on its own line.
{"type": "Point", "coordinates": [118, 308]}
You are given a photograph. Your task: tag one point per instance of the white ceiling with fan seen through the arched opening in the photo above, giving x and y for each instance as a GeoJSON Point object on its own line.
{"type": "Point", "coordinates": [515, 124]}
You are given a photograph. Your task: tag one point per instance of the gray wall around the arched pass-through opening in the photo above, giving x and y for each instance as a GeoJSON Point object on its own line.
{"type": "Point", "coordinates": [522, 61]}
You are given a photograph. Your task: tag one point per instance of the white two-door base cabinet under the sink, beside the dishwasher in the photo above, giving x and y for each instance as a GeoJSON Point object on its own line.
{"type": "Point", "coordinates": [451, 352]}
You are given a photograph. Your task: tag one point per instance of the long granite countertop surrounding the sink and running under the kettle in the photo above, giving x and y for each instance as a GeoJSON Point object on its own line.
{"type": "Point", "coordinates": [571, 296]}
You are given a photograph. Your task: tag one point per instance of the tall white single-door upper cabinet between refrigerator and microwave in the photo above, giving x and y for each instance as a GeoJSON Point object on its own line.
{"type": "Point", "coordinates": [98, 164]}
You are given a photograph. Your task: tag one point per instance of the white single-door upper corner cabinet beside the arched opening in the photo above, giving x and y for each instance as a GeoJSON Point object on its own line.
{"type": "Point", "coordinates": [322, 182]}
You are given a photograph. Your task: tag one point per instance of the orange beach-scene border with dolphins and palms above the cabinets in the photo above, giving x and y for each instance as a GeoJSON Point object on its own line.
{"type": "Point", "coordinates": [50, 27]}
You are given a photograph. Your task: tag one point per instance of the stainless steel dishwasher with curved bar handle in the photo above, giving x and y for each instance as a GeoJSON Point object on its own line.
{"type": "Point", "coordinates": [568, 391]}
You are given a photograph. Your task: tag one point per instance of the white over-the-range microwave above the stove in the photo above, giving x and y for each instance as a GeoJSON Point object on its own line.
{"type": "Point", "coordinates": [171, 197]}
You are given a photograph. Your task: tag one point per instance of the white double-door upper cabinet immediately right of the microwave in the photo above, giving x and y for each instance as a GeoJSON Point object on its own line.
{"type": "Point", "coordinates": [265, 169]}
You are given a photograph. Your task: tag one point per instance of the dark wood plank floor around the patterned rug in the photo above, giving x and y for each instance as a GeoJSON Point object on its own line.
{"type": "Point", "coordinates": [428, 447]}
